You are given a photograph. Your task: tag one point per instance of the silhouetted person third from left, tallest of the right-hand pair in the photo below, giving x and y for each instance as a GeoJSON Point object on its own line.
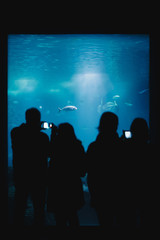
{"type": "Point", "coordinates": [103, 156]}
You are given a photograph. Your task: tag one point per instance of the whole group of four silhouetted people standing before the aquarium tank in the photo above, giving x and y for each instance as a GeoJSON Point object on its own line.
{"type": "Point", "coordinates": [115, 167]}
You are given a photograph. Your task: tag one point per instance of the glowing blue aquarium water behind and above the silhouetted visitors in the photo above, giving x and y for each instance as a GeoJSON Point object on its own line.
{"type": "Point", "coordinates": [95, 73]}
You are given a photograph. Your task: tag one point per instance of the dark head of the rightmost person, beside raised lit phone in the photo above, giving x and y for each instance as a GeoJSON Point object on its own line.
{"type": "Point", "coordinates": [139, 129]}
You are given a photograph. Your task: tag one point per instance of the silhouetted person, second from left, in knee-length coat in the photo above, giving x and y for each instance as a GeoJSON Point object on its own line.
{"type": "Point", "coordinates": [65, 192]}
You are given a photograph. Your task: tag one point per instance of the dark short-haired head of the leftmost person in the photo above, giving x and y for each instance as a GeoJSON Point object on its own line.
{"type": "Point", "coordinates": [33, 118]}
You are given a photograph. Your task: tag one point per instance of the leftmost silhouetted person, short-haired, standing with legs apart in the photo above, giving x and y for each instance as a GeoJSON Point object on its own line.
{"type": "Point", "coordinates": [30, 158]}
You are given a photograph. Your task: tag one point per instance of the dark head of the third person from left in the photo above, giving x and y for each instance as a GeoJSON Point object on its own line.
{"type": "Point", "coordinates": [108, 123]}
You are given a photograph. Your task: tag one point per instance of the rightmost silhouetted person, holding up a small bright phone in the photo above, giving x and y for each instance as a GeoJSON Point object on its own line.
{"type": "Point", "coordinates": [139, 178]}
